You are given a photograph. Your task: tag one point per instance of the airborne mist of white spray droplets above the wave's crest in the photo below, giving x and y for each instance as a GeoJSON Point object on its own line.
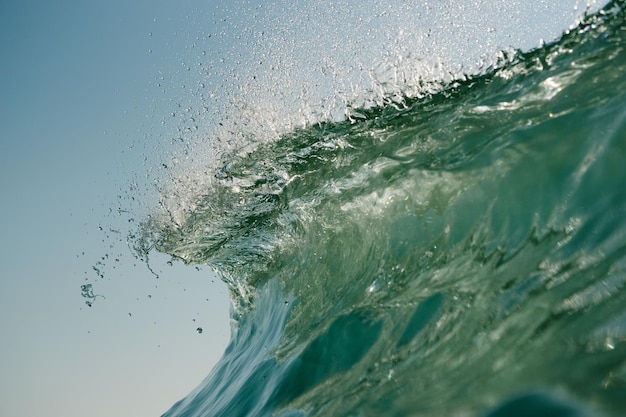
{"type": "Point", "coordinates": [258, 71]}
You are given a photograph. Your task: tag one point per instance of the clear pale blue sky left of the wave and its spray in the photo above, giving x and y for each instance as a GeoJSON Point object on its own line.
{"type": "Point", "coordinates": [82, 118]}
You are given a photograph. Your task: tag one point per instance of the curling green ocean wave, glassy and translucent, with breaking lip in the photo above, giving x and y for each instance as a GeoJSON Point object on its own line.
{"type": "Point", "coordinates": [453, 249]}
